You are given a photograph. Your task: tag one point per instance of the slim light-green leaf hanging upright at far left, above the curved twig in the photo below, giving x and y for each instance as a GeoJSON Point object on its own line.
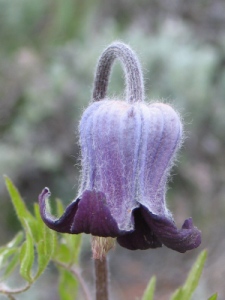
{"type": "Point", "coordinates": [27, 256]}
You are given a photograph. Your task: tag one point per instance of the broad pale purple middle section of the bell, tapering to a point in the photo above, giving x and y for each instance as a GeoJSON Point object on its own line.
{"type": "Point", "coordinates": [116, 157]}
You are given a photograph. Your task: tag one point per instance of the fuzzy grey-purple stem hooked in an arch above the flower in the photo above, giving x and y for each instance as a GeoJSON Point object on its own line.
{"type": "Point", "coordinates": [132, 69]}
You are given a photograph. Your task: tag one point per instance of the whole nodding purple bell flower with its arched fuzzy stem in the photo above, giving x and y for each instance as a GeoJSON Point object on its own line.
{"type": "Point", "coordinates": [127, 149]}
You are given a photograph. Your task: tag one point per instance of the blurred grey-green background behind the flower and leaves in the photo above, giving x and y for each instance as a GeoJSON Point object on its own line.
{"type": "Point", "coordinates": [48, 53]}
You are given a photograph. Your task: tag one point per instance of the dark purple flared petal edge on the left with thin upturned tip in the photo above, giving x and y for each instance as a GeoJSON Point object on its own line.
{"type": "Point", "coordinates": [88, 214]}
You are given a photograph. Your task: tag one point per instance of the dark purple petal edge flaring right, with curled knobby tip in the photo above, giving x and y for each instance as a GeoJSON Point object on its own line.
{"type": "Point", "coordinates": [164, 228]}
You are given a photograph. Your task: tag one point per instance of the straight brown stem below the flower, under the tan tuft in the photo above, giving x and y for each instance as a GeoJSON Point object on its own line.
{"type": "Point", "coordinates": [101, 279]}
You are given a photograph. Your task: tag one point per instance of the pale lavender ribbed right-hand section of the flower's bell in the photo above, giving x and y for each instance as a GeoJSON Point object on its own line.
{"type": "Point", "coordinates": [161, 137]}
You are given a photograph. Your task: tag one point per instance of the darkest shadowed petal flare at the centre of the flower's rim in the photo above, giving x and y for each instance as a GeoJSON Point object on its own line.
{"type": "Point", "coordinates": [142, 238]}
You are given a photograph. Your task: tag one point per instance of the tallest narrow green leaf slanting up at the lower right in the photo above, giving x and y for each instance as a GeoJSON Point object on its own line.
{"type": "Point", "coordinates": [185, 292]}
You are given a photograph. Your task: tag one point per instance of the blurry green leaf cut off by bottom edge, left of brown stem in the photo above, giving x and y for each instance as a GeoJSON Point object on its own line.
{"type": "Point", "coordinates": [68, 285]}
